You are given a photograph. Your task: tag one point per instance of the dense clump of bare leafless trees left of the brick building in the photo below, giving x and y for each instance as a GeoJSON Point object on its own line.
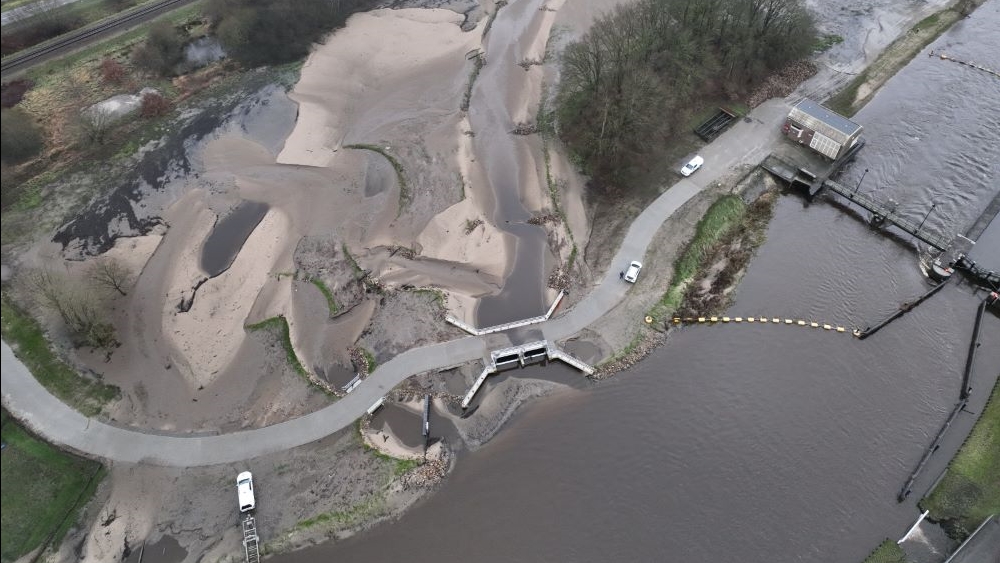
{"type": "Point", "coordinates": [634, 77]}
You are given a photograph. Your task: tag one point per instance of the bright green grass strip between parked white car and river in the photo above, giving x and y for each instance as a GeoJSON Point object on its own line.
{"type": "Point", "coordinates": [725, 214]}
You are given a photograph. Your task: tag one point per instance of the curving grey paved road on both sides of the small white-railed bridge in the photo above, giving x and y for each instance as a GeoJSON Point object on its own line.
{"type": "Point", "coordinates": [28, 401]}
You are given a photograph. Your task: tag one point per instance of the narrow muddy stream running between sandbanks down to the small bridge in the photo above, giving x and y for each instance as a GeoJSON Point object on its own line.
{"type": "Point", "coordinates": [503, 156]}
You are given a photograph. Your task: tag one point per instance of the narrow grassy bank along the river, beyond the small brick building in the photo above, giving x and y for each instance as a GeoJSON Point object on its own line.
{"type": "Point", "coordinates": [897, 55]}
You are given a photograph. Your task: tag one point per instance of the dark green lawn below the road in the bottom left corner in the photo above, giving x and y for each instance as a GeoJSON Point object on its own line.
{"type": "Point", "coordinates": [42, 491]}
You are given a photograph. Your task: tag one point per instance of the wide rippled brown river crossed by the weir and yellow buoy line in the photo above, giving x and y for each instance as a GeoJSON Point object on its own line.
{"type": "Point", "coordinates": [759, 443]}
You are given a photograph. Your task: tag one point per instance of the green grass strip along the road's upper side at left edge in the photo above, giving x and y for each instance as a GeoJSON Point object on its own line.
{"type": "Point", "coordinates": [28, 340]}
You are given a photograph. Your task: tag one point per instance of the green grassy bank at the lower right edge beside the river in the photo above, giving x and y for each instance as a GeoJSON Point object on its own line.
{"type": "Point", "coordinates": [970, 490]}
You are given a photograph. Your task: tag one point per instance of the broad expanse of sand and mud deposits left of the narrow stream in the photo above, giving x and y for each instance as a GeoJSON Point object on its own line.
{"type": "Point", "coordinates": [342, 227]}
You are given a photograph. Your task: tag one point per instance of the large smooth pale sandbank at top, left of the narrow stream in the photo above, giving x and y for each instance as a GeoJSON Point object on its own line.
{"type": "Point", "coordinates": [404, 60]}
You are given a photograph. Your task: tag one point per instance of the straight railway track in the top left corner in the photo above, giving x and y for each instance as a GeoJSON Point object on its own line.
{"type": "Point", "coordinates": [77, 38]}
